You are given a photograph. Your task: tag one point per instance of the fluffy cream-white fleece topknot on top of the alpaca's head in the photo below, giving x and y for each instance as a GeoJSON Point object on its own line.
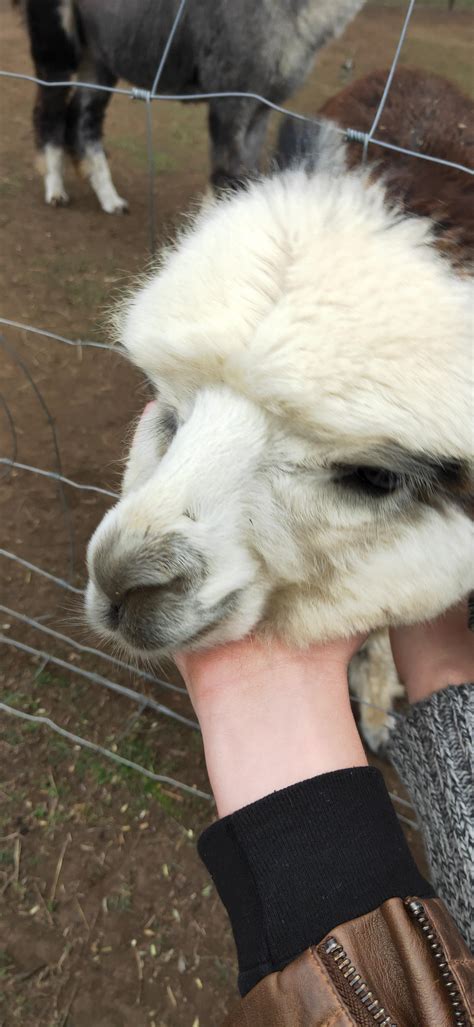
{"type": "Point", "coordinates": [309, 297]}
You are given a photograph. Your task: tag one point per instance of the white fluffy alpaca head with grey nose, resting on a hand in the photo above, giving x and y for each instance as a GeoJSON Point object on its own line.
{"type": "Point", "coordinates": [305, 465]}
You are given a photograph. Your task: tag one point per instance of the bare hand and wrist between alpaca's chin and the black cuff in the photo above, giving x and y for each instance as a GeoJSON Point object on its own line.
{"type": "Point", "coordinates": [272, 716]}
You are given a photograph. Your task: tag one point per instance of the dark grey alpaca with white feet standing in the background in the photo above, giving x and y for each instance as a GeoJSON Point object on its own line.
{"type": "Point", "coordinates": [265, 49]}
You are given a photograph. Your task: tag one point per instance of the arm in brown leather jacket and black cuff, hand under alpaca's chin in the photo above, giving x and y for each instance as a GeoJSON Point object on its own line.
{"type": "Point", "coordinates": [308, 840]}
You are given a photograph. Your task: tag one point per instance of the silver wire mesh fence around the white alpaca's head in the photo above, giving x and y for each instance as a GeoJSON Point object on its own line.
{"type": "Point", "coordinates": [10, 463]}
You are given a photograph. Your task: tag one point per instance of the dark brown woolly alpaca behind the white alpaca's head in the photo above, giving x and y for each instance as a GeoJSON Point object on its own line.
{"type": "Point", "coordinates": [426, 113]}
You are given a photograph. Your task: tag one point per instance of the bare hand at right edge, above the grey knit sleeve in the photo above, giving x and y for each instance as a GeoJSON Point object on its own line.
{"type": "Point", "coordinates": [432, 656]}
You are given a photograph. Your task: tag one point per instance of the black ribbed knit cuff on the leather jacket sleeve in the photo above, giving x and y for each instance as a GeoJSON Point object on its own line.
{"type": "Point", "coordinates": [296, 864]}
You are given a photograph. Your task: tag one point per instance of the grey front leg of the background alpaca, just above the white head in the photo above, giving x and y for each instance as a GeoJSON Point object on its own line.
{"type": "Point", "coordinates": [238, 130]}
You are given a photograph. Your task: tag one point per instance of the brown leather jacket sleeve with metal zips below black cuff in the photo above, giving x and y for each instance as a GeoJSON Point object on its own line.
{"type": "Point", "coordinates": [405, 965]}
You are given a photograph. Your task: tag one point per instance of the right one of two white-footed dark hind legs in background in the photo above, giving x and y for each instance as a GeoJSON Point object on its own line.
{"type": "Point", "coordinates": [85, 137]}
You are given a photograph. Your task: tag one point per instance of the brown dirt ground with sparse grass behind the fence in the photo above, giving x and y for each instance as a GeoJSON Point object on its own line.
{"type": "Point", "coordinates": [108, 917]}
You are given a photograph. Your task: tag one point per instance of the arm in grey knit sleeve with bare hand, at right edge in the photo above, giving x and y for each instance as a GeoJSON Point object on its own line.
{"type": "Point", "coordinates": [432, 750]}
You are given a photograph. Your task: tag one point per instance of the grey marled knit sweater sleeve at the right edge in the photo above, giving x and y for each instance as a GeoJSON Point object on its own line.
{"type": "Point", "coordinates": [432, 750]}
